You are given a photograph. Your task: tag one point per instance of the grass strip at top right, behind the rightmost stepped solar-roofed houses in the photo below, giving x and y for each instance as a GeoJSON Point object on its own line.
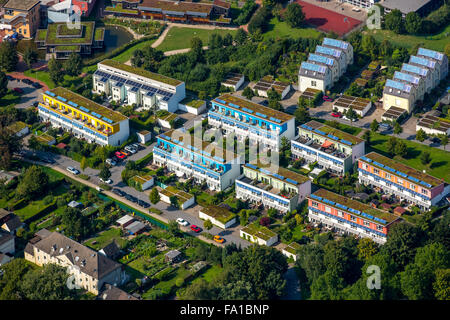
{"type": "Point", "coordinates": [435, 42]}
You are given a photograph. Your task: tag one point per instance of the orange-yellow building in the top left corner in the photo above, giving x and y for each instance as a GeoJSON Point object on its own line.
{"type": "Point", "coordinates": [24, 22]}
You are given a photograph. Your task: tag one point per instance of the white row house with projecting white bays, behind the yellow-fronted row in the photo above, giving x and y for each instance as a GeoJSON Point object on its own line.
{"type": "Point", "coordinates": [130, 85]}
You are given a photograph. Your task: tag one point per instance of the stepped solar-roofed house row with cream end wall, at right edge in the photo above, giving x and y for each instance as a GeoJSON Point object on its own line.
{"type": "Point", "coordinates": [422, 74]}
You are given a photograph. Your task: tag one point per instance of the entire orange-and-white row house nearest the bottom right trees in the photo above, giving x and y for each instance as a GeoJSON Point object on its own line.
{"type": "Point", "coordinates": [349, 216]}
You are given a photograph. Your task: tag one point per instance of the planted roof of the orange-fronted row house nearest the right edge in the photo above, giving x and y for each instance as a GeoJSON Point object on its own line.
{"type": "Point", "coordinates": [385, 161]}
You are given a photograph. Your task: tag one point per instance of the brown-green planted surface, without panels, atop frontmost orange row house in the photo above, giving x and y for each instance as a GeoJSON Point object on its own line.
{"type": "Point", "coordinates": [353, 204]}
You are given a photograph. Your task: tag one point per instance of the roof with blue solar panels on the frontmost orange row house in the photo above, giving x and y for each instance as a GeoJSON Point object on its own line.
{"type": "Point", "coordinates": [338, 201]}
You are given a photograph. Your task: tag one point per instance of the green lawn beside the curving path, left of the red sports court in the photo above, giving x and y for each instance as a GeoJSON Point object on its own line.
{"type": "Point", "coordinates": [180, 38]}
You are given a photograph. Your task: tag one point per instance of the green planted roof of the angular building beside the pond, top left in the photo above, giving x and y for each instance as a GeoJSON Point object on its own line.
{"type": "Point", "coordinates": [55, 29]}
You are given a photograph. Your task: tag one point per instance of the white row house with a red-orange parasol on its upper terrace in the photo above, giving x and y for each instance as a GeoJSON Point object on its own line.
{"type": "Point", "coordinates": [332, 149]}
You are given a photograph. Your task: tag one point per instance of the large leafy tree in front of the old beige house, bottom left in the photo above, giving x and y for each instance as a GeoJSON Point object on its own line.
{"type": "Point", "coordinates": [48, 283]}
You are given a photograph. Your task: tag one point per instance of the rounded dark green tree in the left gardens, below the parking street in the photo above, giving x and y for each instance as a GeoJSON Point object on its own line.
{"type": "Point", "coordinates": [33, 184]}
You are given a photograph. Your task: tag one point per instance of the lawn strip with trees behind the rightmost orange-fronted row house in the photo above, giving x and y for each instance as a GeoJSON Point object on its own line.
{"type": "Point", "coordinates": [440, 159]}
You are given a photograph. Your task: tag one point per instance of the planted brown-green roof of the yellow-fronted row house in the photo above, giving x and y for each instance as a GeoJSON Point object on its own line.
{"type": "Point", "coordinates": [89, 104]}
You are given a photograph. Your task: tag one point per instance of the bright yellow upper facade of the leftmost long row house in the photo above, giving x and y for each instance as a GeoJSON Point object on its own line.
{"type": "Point", "coordinates": [73, 113]}
